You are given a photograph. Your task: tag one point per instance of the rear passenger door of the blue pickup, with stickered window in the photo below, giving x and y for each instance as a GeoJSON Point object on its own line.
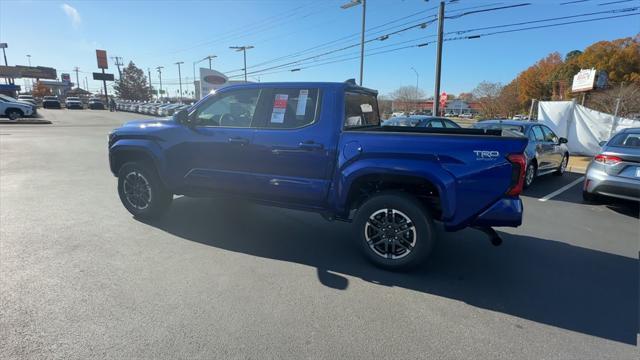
{"type": "Point", "coordinates": [294, 154]}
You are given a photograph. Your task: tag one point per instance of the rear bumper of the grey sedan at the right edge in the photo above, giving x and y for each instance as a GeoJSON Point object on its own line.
{"type": "Point", "coordinates": [599, 182]}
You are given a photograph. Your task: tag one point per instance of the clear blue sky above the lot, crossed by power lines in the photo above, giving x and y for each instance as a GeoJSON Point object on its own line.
{"type": "Point", "coordinates": [65, 34]}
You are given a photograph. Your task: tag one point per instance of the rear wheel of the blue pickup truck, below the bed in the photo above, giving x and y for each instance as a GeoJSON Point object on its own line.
{"type": "Point", "coordinates": [394, 230]}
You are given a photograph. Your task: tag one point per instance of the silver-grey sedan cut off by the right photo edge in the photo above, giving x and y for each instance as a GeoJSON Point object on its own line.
{"type": "Point", "coordinates": [615, 171]}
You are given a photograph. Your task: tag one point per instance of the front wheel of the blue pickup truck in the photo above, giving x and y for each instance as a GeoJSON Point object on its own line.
{"type": "Point", "coordinates": [141, 191]}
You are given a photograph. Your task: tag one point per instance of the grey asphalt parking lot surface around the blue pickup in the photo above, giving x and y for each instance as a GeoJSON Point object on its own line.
{"type": "Point", "coordinates": [80, 278]}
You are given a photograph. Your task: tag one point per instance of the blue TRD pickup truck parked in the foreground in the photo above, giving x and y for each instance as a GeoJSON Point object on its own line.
{"type": "Point", "coordinates": [320, 147]}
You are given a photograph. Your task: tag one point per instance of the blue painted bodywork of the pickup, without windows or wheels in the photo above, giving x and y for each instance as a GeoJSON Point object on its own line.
{"type": "Point", "coordinates": [278, 166]}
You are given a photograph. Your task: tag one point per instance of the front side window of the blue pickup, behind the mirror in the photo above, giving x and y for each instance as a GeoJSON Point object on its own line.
{"type": "Point", "coordinates": [230, 109]}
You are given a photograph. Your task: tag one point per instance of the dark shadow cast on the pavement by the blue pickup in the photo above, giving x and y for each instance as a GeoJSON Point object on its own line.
{"type": "Point", "coordinates": [541, 280]}
